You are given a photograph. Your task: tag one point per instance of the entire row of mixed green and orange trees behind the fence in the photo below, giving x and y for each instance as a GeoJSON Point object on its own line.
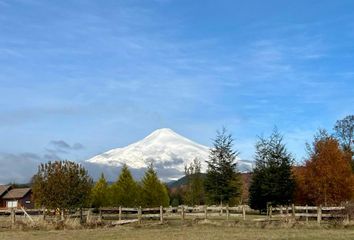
{"type": "Point", "coordinates": [325, 177]}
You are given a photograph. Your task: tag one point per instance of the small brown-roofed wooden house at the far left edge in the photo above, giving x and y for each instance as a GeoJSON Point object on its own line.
{"type": "Point", "coordinates": [16, 197]}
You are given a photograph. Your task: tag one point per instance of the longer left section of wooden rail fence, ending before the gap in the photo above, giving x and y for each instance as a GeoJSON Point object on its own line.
{"type": "Point", "coordinates": [129, 214]}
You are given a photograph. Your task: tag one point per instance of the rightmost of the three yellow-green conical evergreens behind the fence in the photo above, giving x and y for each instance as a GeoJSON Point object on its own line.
{"type": "Point", "coordinates": [154, 193]}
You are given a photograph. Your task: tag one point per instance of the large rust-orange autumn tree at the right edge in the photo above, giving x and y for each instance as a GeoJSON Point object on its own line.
{"type": "Point", "coordinates": [326, 177]}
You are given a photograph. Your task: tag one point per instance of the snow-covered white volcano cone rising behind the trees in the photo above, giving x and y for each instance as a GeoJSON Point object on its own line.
{"type": "Point", "coordinates": [169, 152]}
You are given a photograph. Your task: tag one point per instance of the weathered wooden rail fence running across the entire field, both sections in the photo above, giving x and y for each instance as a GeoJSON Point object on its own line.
{"type": "Point", "coordinates": [123, 215]}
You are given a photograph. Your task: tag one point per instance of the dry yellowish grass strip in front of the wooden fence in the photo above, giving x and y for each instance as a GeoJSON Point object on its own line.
{"type": "Point", "coordinates": [205, 232]}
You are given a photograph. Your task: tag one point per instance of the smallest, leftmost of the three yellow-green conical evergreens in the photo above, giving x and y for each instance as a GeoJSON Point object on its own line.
{"type": "Point", "coordinates": [99, 194]}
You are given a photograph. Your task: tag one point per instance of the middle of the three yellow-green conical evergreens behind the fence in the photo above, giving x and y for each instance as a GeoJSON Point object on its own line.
{"type": "Point", "coordinates": [125, 191]}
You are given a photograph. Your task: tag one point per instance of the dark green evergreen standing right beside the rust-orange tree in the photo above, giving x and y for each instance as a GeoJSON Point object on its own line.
{"type": "Point", "coordinates": [272, 179]}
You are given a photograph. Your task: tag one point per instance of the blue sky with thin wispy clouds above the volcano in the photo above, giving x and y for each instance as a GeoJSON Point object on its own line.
{"type": "Point", "coordinates": [80, 77]}
